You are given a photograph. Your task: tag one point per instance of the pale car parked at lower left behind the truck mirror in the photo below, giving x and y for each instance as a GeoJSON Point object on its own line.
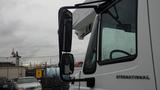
{"type": "Point", "coordinates": [28, 83]}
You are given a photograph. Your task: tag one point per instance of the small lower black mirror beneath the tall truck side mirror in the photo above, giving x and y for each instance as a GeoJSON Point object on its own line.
{"type": "Point", "coordinates": [66, 64]}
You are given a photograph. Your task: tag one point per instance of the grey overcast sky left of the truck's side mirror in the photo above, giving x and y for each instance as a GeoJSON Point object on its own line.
{"type": "Point", "coordinates": [30, 26]}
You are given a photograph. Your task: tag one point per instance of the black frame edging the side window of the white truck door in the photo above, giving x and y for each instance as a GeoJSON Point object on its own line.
{"type": "Point", "coordinates": [121, 59]}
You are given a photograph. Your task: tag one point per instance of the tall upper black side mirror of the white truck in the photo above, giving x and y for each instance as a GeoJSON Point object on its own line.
{"type": "Point", "coordinates": [65, 29]}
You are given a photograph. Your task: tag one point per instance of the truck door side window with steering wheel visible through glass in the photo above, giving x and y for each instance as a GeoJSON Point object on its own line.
{"type": "Point", "coordinates": [119, 33]}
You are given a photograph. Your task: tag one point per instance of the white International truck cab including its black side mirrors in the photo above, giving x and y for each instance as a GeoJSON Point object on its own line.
{"type": "Point", "coordinates": [124, 48]}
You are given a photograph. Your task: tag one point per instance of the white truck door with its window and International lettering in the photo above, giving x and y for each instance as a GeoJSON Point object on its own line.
{"type": "Point", "coordinates": [123, 50]}
